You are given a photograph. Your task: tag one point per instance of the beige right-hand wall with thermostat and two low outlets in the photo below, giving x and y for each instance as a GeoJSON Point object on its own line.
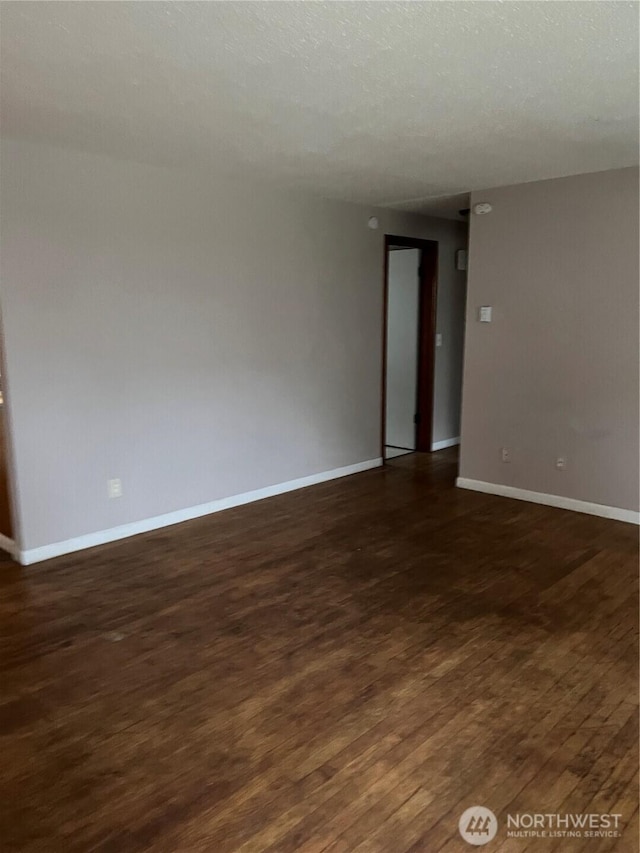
{"type": "Point", "coordinates": [556, 372]}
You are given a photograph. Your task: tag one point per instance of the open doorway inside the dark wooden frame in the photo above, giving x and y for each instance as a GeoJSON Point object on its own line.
{"type": "Point", "coordinates": [410, 298]}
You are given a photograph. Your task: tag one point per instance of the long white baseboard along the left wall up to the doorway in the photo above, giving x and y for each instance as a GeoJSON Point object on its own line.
{"type": "Point", "coordinates": [90, 540]}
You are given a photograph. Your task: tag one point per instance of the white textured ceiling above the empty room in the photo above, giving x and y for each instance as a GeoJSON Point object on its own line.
{"type": "Point", "coordinates": [397, 104]}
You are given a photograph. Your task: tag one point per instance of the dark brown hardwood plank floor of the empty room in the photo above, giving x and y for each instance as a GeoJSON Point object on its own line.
{"type": "Point", "coordinates": [341, 669]}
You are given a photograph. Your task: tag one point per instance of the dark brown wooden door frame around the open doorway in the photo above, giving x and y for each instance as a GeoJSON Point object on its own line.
{"type": "Point", "coordinates": [428, 296]}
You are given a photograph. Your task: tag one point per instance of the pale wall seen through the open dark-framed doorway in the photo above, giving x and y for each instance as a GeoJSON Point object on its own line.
{"type": "Point", "coordinates": [402, 347]}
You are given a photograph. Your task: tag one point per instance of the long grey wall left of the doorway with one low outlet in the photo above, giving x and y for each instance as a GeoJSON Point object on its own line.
{"type": "Point", "coordinates": [194, 336]}
